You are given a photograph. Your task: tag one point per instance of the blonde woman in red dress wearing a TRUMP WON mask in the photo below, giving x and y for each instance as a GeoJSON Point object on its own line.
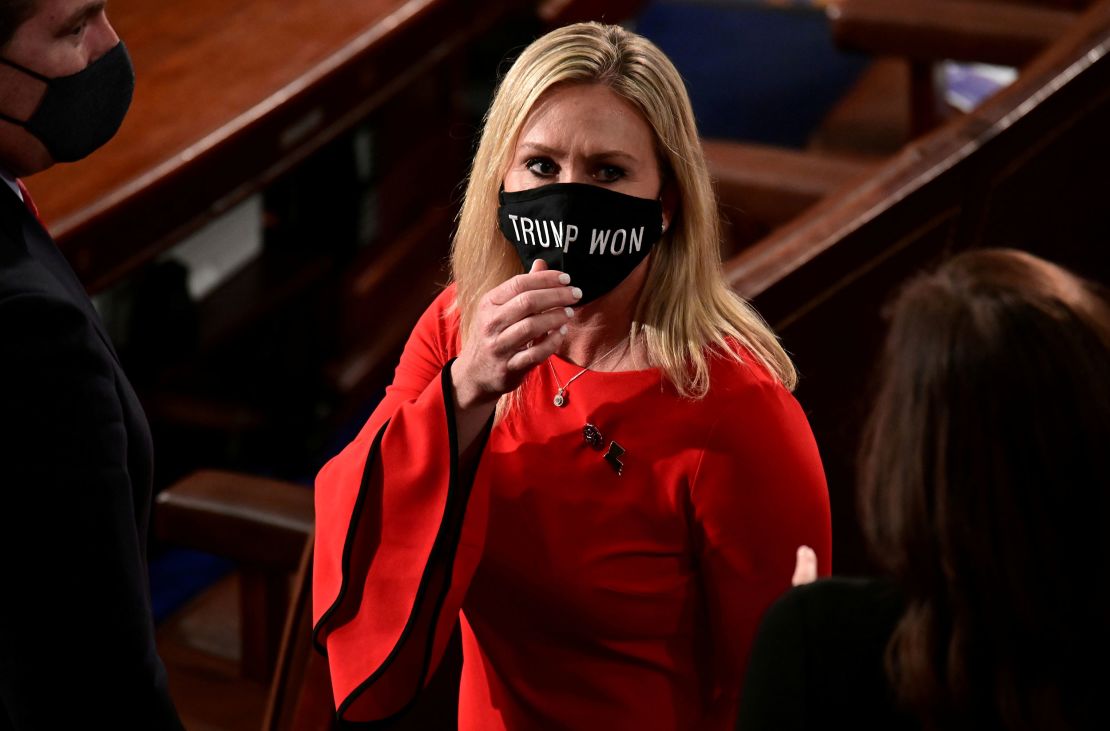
{"type": "Point", "coordinates": [590, 455]}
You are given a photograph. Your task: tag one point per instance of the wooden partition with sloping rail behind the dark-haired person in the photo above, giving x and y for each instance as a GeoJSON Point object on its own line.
{"type": "Point", "coordinates": [1027, 169]}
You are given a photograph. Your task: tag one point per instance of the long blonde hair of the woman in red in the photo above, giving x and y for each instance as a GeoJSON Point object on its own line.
{"type": "Point", "coordinates": [689, 306]}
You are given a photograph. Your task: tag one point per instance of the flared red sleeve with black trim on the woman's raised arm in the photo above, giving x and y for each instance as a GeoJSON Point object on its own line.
{"type": "Point", "coordinates": [399, 535]}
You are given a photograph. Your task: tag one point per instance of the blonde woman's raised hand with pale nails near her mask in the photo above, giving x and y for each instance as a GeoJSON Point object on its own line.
{"type": "Point", "coordinates": [519, 324]}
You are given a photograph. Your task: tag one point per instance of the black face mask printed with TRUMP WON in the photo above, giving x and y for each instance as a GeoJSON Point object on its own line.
{"type": "Point", "coordinates": [594, 235]}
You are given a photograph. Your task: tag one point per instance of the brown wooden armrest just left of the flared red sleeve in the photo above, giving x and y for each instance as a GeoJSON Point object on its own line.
{"type": "Point", "coordinates": [254, 521]}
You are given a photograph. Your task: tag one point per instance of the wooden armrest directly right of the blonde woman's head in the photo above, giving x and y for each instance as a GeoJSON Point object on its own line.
{"type": "Point", "coordinates": [772, 185]}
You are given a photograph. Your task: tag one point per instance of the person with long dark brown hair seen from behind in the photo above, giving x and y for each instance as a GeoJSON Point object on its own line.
{"type": "Point", "coordinates": [985, 476]}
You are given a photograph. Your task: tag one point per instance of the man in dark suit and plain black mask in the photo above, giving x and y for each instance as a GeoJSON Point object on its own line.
{"type": "Point", "coordinates": [77, 638]}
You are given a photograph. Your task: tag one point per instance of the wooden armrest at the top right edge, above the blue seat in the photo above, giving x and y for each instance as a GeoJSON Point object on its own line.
{"type": "Point", "coordinates": [930, 31]}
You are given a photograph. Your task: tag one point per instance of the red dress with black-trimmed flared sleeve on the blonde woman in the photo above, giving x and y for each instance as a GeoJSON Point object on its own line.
{"type": "Point", "coordinates": [589, 600]}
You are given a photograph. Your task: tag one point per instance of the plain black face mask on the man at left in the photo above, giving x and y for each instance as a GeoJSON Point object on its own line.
{"type": "Point", "coordinates": [83, 111]}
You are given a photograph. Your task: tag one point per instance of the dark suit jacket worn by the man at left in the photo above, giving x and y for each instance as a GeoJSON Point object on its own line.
{"type": "Point", "coordinates": [77, 638]}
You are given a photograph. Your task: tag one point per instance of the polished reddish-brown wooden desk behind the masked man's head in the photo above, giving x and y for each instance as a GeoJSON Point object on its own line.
{"type": "Point", "coordinates": [230, 96]}
